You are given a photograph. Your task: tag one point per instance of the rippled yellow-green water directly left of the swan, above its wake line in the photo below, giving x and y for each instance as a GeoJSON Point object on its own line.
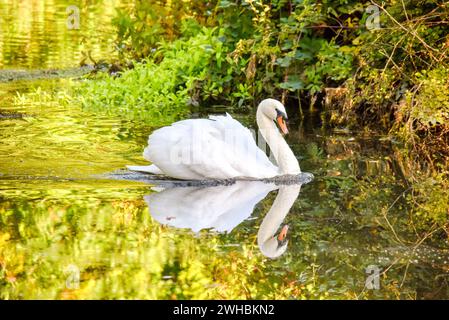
{"type": "Point", "coordinates": [59, 140]}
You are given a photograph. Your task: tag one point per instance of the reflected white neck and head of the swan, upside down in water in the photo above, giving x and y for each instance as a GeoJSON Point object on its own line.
{"type": "Point", "coordinates": [266, 239]}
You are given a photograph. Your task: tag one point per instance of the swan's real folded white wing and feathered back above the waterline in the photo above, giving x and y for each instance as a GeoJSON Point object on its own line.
{"type": "Point", "coordinates": [218, 148]}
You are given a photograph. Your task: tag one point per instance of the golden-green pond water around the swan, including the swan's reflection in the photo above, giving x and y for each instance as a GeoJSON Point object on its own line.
{"type": "Point", "coordinates": [71, 229]}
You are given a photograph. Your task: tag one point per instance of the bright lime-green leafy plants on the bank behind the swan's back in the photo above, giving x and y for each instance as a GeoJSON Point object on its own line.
{"type": "Point", "coordinates": [156, 92]}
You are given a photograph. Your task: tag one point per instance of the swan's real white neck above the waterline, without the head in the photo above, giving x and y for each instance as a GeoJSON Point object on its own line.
{"type": "Point", "coordinates": [285, 159]}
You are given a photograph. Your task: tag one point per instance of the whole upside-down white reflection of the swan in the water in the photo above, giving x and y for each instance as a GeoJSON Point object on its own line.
{"type": "Point", "coordinates": [223, 207]}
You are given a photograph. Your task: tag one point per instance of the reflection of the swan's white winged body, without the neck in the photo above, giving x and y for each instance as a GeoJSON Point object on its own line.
{"type": "Point", "coordinates": [221, 208]}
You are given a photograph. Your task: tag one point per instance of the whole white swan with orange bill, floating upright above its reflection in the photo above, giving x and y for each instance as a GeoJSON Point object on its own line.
{"type": "Point", "coordinates": [220, 147]}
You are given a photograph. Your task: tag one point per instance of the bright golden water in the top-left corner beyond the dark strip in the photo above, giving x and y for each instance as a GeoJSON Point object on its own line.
{"type": "Point", "coordinates": [34, 33]}
